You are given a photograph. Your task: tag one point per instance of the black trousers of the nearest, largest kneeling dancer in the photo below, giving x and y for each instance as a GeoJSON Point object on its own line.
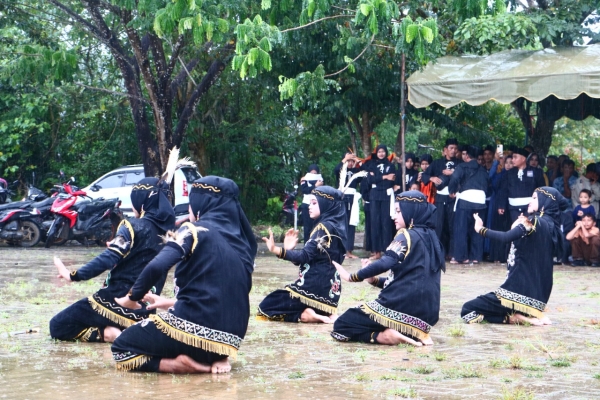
{"type": "Point", "coordinates": [144, 338]}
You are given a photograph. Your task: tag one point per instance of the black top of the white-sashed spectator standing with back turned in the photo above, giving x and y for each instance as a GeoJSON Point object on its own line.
{"type": "Point", "coordinates": [469, 176]}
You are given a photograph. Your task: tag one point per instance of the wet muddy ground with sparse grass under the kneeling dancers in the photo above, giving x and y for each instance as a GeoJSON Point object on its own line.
{"type": "Point", "coordinates": [279, 360]}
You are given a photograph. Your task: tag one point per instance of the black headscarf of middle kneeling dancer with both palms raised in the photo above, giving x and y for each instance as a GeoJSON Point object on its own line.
{"type": "Point", "coordinates": [333, 211]}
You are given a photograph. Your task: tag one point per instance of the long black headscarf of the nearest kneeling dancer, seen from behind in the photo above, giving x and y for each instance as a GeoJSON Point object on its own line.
{"type": "Point", "coordinates": [215, 200]}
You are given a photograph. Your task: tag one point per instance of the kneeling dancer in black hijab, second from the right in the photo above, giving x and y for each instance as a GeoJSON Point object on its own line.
{"type": "Point", "coordinates": [409, 302]}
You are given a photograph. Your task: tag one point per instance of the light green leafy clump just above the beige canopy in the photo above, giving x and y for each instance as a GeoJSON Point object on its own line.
{"type": "Point", "coordinates": [489, 34]}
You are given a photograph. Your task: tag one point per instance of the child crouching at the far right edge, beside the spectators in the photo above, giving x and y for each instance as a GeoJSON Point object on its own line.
{"type": "Point", "coordinates": [585, 242]}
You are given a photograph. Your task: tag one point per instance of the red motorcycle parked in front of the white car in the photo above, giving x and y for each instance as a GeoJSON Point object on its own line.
{"type": "Point", "coordinates": [78, 217]}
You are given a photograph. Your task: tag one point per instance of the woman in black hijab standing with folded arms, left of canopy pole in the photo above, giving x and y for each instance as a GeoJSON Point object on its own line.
{"type": "Point", "coordinates": [382, 175]}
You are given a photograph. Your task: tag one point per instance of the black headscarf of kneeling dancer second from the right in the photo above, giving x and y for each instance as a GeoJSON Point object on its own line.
{"type": "Point", "coordinates": [419, 215]}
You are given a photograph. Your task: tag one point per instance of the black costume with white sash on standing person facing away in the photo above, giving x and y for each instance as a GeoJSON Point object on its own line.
{"type": "Point", "coordinates": [469, 182]}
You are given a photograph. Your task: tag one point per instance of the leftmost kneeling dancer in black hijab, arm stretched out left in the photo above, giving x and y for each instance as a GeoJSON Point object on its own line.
{"type": "Point", "coordinates": [98, 318]}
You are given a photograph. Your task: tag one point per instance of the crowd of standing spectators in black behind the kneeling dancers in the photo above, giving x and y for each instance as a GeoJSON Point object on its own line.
{"type": "Point", "coordinates": [466, 180]}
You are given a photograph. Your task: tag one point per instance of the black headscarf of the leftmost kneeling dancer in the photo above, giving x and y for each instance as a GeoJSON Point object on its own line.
{"type": "Point", "coordinates": [151, 201]}
